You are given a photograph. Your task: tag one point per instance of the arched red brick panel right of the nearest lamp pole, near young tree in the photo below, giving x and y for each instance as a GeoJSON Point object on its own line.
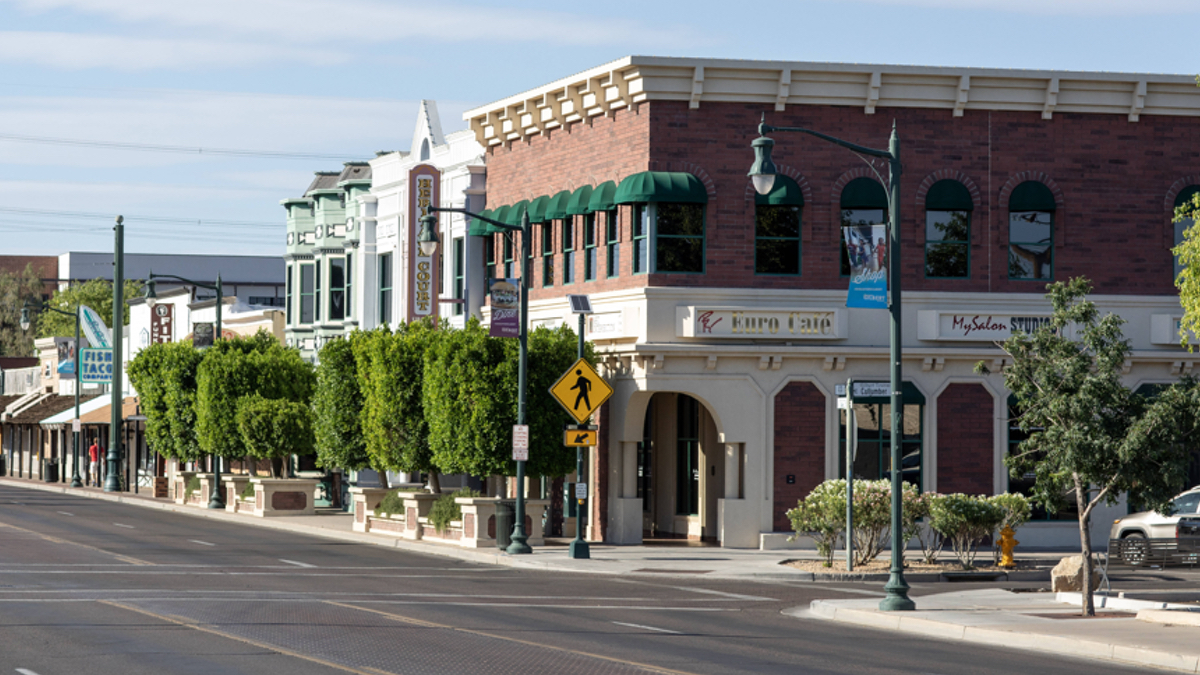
{"type": "Point", "coordinates": [965, 453]}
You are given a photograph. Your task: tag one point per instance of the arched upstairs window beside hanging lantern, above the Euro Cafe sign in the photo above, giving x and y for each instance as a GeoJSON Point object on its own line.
{"type": "Point", "coordinates": [777, 244]}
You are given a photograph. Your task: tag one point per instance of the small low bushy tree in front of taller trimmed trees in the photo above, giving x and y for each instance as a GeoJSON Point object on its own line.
{"type": "Point", "coordinates": [274, 428]}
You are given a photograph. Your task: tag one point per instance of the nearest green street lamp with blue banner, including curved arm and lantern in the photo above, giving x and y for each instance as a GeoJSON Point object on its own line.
{"type": "Point", "coordinates": [763, 175]}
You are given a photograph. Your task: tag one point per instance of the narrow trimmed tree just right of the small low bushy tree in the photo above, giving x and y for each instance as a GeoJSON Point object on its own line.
{"type": "Point", "coordinates": [337, 409]}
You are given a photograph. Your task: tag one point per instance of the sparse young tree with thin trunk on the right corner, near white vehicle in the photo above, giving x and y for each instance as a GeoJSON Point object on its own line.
{"type": "Point", "coordinates": [1090, 437]}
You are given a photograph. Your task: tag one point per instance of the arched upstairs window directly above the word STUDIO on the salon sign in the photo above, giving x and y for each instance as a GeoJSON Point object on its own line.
{"type": "Point", "coordinates": [1031, 232]}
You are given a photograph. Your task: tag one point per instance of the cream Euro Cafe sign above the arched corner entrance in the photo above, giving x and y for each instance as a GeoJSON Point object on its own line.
{"type": "Point", "coordinates": [746, 324]}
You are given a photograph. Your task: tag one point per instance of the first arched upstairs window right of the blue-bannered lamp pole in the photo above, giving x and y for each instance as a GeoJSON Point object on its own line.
{"type": "Point", "coordinates": [949, 208]}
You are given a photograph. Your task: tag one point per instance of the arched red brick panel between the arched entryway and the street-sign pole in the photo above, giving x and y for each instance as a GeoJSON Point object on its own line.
{"type": "Point", "coordinates": [800, 447]}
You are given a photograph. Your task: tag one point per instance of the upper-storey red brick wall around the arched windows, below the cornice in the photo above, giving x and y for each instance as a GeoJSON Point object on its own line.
{"type": "Point", "coordinates": [1114, 181]}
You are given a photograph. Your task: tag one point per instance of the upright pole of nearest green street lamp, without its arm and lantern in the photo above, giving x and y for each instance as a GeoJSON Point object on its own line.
{"type": "Point", "coordinates": [897, 588]}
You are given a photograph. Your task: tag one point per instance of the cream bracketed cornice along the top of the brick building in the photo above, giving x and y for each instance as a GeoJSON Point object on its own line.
{"type": "Point", "coordinates": [633, 80]}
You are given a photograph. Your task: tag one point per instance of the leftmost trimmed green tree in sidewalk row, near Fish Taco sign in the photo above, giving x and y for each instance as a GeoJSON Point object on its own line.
{"type": "Point", "coordinates": [165, 378]}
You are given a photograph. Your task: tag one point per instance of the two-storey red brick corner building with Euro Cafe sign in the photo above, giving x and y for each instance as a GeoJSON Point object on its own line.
{"type": "Point", "coordinates": [721, 315]}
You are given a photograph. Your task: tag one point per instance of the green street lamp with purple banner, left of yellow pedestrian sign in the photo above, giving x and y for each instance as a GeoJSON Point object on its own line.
{"type": "Point", "coordinates": [429, 243]}
